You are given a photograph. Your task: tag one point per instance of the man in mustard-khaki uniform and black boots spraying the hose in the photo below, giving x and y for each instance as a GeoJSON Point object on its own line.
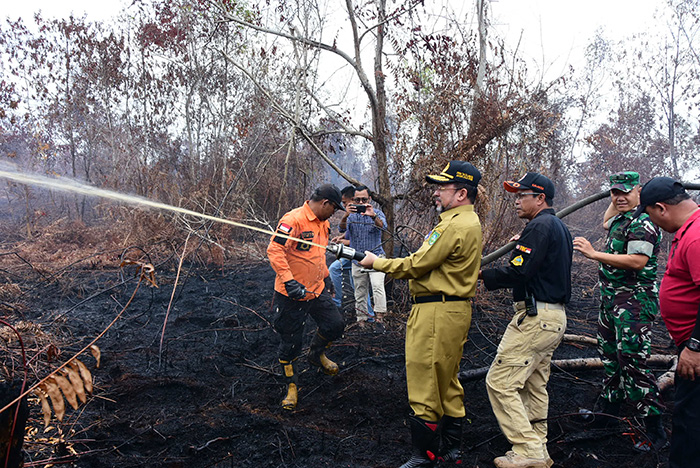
{"type": "Point", "coordinates": [442, 277]}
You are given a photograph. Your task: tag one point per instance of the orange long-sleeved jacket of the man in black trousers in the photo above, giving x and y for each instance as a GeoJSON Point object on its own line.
{"type": "Point", "coordinates": [294, 260]}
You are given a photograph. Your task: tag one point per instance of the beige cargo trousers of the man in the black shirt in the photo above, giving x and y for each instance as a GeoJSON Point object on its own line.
{"type": "Point", "coordinates": [517, 380]}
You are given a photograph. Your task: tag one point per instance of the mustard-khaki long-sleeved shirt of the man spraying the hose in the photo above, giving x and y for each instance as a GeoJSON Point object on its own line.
{"type": "Point", "coordinates": [447, 262]}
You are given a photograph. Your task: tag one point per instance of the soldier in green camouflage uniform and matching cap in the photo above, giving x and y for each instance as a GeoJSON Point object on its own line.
{"type": "Point", "coordinates": [629, 304]}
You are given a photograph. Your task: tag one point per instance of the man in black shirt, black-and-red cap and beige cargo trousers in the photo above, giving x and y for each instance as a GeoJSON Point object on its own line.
{"type": "Point", "coordinates": [539, 272]}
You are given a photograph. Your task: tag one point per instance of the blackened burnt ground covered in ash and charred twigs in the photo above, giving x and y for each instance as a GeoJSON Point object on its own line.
{"type": "Point", "coordinates": [211, 398]}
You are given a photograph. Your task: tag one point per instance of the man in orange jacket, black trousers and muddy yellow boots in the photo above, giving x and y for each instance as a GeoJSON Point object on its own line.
{"type": "Point", "coordinates": [301, 288]}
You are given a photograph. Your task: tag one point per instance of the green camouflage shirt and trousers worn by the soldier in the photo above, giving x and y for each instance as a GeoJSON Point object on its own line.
{"type": "Point", "coordinates": [629, 304]}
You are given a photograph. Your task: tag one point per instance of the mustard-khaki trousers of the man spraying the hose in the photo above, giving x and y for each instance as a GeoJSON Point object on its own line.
{"type": "Point", "coordinates": [435, 337]}
